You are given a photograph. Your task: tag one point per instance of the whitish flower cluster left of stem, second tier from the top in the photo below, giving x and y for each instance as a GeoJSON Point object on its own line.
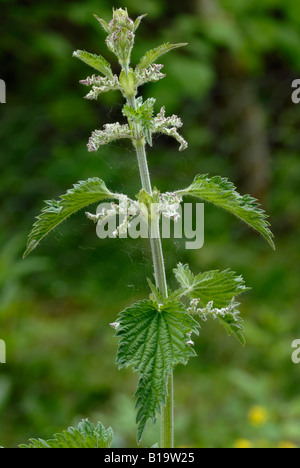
{"type": "Point", "coordinates": [110, 133]}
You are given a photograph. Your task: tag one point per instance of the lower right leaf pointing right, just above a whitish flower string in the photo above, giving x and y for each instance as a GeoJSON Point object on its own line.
{"type": "Point", "coordinates": [217, 286]}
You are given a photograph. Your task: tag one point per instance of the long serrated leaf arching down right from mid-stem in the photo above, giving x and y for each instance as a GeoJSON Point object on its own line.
{"type": "Point", "coordinates": [222, 193]}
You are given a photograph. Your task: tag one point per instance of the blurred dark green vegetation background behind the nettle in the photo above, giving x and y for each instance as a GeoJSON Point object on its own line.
{"type": "Point", "coordinates": [232, 88]}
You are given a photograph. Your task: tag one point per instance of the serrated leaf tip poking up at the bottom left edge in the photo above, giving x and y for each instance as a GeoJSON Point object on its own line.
{"type": "Point", "coordinates": [85, 435]}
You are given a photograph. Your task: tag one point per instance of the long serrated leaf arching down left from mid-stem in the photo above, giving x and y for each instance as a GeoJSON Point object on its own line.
{"type": "Point", "coordinates": [81, 195]}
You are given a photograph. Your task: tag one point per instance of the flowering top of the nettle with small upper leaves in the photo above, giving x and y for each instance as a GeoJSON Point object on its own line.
{"type": "Point", "coordinates": [141, 121]}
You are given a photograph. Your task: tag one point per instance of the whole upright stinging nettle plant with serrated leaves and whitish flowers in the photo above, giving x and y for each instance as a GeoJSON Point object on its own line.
{"type": "Point", "coordinates": [154, 334]}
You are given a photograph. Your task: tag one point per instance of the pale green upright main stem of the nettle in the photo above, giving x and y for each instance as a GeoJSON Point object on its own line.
{"type": "Point", "coordinates": [167, 411]}
